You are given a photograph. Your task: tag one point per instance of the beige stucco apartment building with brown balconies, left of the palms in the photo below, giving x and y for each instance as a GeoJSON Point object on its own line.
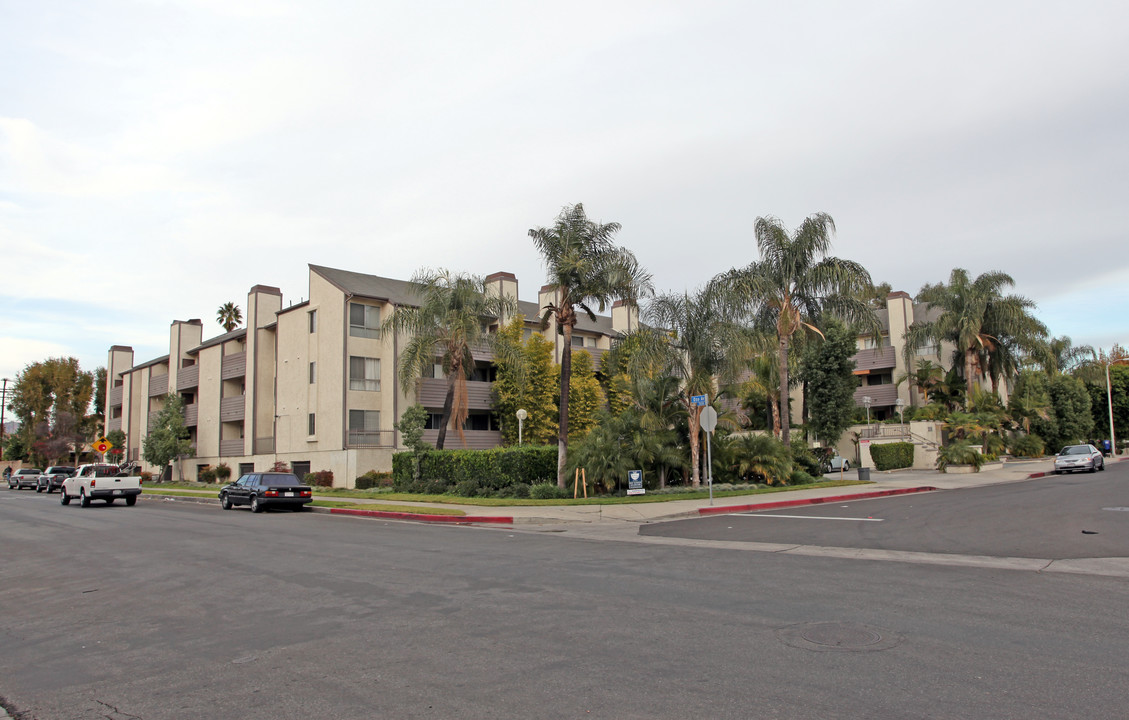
{"type": "Point", "coordinates": [314, 384]}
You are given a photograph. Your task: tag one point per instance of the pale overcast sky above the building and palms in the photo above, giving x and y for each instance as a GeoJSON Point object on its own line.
{"type": "Point", "coordinates": [161, 157]}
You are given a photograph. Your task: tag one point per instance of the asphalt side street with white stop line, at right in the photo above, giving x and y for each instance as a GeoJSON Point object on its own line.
{"type": "Point", "coordinates": [1054, 517]}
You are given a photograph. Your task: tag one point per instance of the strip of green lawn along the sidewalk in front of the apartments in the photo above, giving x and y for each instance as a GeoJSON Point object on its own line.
{"type": "Point", "coordinates": [328, 494]}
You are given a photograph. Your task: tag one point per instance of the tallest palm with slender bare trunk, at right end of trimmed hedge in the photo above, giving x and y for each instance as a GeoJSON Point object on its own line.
{"type": "Point", "coordinates": [585, 269]}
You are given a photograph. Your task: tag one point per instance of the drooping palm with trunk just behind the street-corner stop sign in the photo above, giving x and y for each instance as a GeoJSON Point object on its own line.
{"type": "Point", "coordinates": [689, 338]}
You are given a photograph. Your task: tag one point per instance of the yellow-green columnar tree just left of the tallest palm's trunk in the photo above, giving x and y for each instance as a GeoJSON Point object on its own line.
{"type": "Point", "coordinates": [527, 381]}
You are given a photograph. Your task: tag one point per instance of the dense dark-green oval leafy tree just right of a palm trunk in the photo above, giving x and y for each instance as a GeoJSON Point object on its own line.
{"type": "Point", "coordinates": [828, 372]}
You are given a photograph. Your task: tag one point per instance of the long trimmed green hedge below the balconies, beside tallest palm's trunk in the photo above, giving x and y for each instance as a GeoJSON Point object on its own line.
{"type": "Point", "coordinates": [471, 473]}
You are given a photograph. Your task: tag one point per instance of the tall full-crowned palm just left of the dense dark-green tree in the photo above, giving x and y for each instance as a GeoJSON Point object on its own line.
{"type": "Point", "coordinates": [793, 284]}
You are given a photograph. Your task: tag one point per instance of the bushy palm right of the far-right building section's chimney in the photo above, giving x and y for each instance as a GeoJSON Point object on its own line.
{"type": "Point", "coordinates": [981, 321]}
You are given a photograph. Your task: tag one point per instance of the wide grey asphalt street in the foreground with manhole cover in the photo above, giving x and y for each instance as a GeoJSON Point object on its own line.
{"type": "Point", "coordinates": [170, 610]}
